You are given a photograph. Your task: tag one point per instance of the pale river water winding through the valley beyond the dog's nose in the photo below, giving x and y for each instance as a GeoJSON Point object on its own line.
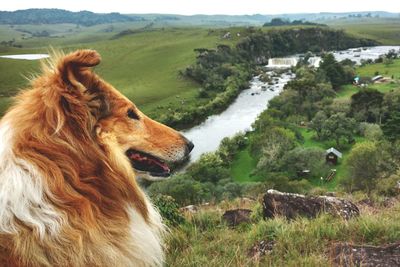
{"type": "Point", "coordinates": [239, 116]}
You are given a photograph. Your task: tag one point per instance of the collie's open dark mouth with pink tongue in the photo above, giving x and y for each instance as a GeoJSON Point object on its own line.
{"type": "Point", "coordinates": [149, 164]}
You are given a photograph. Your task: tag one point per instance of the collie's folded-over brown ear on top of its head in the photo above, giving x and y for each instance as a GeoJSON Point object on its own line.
{"type": "Point", "coordinates": [74, 69]}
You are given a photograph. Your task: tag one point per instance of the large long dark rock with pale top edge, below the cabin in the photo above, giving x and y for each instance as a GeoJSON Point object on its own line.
{"type": "Point", "coordinates": [292, 205]}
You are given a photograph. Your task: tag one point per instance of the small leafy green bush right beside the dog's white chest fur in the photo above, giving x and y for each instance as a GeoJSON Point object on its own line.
{"type": "Point", "coordinates": [168, 209]}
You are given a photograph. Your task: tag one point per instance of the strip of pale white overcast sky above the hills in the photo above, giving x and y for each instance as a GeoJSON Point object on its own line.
{"type": "Point", "coordinates": [190, 7]}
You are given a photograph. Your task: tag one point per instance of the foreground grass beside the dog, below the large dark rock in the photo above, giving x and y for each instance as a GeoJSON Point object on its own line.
{"type": "Point", "coordinates": [300, 242]}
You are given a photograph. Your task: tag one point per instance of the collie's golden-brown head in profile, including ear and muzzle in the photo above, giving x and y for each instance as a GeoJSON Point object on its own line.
{"type": "Point", "coordinates": [93, 106]}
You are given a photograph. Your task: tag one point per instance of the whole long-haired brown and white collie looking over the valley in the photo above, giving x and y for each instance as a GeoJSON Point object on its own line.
{"type": "Point", "coordinates": [70, 149]}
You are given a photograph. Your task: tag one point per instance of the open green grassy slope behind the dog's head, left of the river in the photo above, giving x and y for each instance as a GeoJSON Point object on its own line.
{"type": "Point", "coordinates": [143, 66]}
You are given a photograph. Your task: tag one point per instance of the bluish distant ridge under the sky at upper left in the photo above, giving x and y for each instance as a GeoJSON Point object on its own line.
{"type": "Point", "coordinates": [54, 16]}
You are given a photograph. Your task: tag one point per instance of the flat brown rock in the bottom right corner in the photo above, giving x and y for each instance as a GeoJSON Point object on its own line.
{"type": "Point", "coordinates": [367, 256]}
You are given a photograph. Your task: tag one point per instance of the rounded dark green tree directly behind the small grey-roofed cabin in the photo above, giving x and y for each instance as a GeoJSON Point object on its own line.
{"type": "Point", "coordinates": [339, 126]}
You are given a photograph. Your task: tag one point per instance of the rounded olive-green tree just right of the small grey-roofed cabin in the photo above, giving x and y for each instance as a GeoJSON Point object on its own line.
{"type": "Point", "coordinates": [363, 162]}
